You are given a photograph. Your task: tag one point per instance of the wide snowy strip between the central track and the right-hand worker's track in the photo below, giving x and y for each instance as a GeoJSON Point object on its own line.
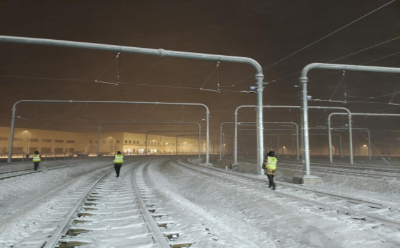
{"type": "Point", "coordinates": [224, 215]}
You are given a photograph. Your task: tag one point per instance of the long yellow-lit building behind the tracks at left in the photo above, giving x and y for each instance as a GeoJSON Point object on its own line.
{"type": "Point", "coordinates": [27, 141]}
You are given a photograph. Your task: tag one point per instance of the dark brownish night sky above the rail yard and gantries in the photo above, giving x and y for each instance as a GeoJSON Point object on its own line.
{"type": "Point", "coordinates": [265, 30]}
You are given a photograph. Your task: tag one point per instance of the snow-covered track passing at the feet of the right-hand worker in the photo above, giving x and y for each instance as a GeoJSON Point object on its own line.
{"type": "Point", "coordinates": [375, 213]}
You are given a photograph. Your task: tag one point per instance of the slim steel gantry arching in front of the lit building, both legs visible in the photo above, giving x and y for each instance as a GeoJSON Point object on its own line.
{"type": "Point", "coordinates": [14, 110]}
